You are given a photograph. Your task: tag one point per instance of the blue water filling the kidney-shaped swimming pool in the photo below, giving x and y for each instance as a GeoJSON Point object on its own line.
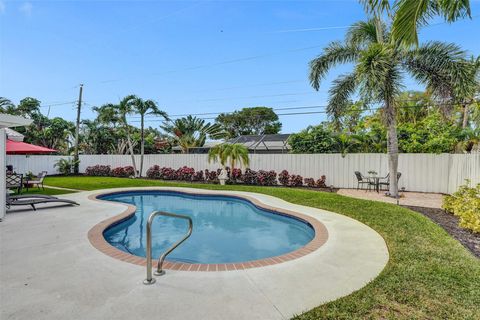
{"type": "Point", "coordinates": [225, 229]}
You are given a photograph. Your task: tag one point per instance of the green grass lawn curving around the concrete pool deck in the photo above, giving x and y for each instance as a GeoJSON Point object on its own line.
{"type": "Point", "coordinates": [429, 276]}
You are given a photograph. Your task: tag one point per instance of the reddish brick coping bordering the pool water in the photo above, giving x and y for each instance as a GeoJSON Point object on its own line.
{"type": "Point", "coordinates": [96, 238]}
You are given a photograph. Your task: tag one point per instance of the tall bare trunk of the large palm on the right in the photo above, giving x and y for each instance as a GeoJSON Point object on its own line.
{"type": "Point", "coordinates": [392, 147]}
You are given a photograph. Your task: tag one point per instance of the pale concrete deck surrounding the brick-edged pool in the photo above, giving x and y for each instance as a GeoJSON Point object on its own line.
{"type": "Point", "coordinates": [49, 270]}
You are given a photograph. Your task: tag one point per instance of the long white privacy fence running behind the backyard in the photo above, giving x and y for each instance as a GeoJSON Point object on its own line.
{"type": "Point", "coordinates": [420, 172]}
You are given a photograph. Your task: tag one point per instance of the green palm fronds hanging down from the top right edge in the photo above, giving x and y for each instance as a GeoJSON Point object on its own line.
{"type": "Point", "coordinates": [409, 15]}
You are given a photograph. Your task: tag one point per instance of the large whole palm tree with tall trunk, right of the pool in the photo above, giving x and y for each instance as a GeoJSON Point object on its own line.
{"type": "Point", "coordinates": [377, 75]}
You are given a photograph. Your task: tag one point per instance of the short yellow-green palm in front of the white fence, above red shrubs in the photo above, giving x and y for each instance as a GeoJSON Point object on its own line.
{"type": "Point", "coordinates": [229, 152]}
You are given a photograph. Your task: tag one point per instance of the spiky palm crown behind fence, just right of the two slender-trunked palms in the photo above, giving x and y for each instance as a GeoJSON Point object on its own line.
{"type": "Point", "coordinates": [191, 132]}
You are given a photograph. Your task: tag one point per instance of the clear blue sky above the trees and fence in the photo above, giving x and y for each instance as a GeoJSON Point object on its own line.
{"type": "Point", "coordinates": [189, 56]}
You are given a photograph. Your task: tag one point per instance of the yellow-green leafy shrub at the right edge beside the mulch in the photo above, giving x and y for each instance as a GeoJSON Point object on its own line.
{"type": "Point", "coordinates": [465, 203]}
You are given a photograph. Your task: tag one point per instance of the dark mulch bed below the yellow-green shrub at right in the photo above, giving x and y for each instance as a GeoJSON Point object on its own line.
{"type": "Point", "coordinates": [449, 222]}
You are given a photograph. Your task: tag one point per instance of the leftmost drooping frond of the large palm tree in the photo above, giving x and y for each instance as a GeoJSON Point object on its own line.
{"type": "Point", "coordinates": [333, 54]}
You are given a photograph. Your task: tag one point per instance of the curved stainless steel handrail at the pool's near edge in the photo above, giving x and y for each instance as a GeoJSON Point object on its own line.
{"type": "Point", "coordinates": [160, 271]}
